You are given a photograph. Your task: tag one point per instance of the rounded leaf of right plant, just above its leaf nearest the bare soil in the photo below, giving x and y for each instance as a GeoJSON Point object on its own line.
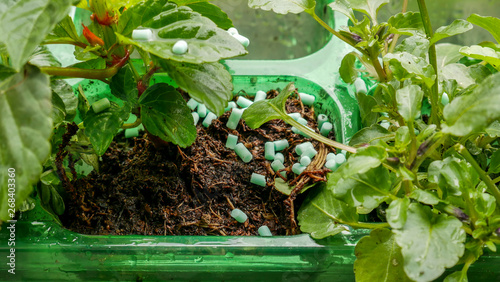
{"type": "Point", "coordinates": [365, 189]}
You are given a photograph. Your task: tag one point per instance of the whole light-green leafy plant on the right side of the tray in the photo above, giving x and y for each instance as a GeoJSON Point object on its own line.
{"type": "Point", "coordinates": [431, 173]}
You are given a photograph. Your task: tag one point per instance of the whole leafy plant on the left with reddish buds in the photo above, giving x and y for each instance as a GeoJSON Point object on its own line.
{"type": "Point", "coordinates": [37, 107]}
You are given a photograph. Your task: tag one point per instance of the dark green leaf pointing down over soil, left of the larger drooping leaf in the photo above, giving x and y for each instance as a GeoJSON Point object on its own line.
{"type": "Point", "coordinates": [102, 127]}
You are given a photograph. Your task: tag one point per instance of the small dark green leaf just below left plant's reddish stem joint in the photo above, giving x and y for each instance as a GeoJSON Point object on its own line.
{"type": "Point", "coordinates": [124, 86]}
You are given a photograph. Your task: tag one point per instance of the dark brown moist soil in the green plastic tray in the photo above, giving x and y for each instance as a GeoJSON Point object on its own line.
{"type": "Point", "coordinates": [141, 189]}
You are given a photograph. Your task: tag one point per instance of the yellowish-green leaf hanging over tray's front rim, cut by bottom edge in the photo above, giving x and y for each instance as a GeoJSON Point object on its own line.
{"type": "Point", "coordinates": [379, 258]}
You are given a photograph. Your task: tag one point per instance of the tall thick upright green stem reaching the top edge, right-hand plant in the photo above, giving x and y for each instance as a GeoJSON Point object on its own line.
{"type": "Point", "coordinates": [434, 91]}
